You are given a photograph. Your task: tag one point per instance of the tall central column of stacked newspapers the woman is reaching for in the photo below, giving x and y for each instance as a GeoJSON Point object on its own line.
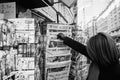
{"type": "Point", "coordinates": [58, 57]}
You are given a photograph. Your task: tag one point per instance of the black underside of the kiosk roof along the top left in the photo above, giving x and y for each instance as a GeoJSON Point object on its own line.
{"type": "Point", "coordinates": [29, 3]}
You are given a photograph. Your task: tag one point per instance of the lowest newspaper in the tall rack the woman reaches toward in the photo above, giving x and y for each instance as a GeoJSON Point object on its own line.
{"type": "Point", "coordinates": [58, 71]}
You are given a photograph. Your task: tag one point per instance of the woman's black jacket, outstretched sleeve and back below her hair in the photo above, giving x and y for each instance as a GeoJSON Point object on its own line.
{"type": "Point", "coordinates": [110, 73]}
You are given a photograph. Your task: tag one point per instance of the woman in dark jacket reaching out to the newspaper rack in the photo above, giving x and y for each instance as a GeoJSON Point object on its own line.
{"type": "Point", "coordinates": [102, 51]}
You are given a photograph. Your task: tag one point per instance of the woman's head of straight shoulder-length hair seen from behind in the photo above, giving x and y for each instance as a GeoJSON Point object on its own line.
{"type": "Point", "coordinates": [102, 49]}
